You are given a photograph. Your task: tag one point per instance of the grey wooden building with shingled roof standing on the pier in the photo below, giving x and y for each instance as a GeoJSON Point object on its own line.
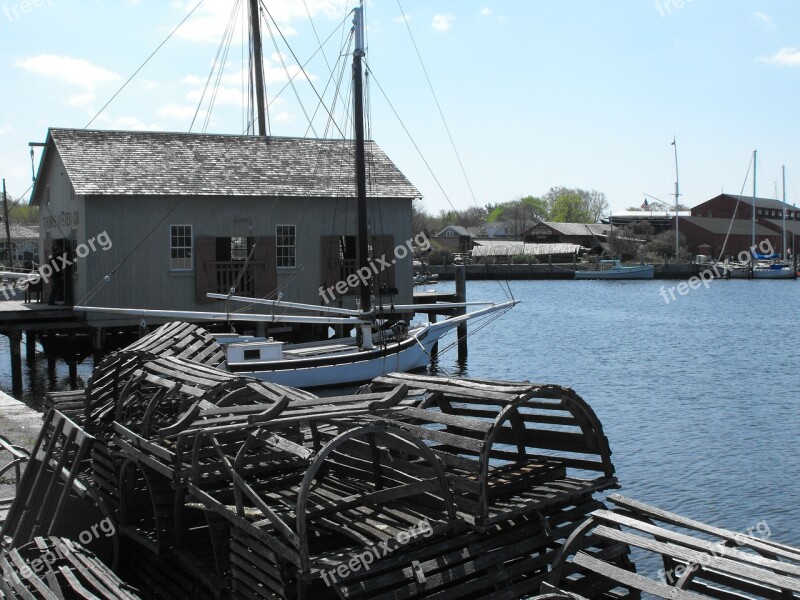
{"type": "Point", "coordinates": [157, 220]}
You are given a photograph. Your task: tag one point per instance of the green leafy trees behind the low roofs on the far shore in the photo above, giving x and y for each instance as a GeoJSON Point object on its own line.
{"type": "Point", "coordinates": [560, 204]}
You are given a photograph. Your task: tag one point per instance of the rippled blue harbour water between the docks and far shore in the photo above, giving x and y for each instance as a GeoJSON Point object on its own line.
{"type": "Point", "coordinates": [699, 397]}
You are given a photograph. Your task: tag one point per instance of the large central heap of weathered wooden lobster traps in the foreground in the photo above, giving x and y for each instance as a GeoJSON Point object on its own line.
{"type": "Point", "coordinates": [413, 487]}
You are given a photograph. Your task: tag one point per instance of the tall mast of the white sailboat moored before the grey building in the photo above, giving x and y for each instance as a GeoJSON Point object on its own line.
{"type": "Point", "coordinates": [361, 169]}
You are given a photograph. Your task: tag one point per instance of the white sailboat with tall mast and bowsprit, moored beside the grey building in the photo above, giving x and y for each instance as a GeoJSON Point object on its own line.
{"type": "Point", "coordinates": [375, 350]}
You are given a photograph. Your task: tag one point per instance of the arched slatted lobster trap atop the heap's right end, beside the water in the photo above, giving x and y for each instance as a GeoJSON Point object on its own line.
{"type": "Point", "coordinates": [510, 448]}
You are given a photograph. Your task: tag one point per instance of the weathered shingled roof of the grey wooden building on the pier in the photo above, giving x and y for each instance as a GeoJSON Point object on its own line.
{"type": "Point", "coordinates": [157, 163]}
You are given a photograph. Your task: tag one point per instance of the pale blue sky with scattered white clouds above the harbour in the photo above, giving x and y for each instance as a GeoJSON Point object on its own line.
{"type": "Point", "coordinates": [477, 102]}
